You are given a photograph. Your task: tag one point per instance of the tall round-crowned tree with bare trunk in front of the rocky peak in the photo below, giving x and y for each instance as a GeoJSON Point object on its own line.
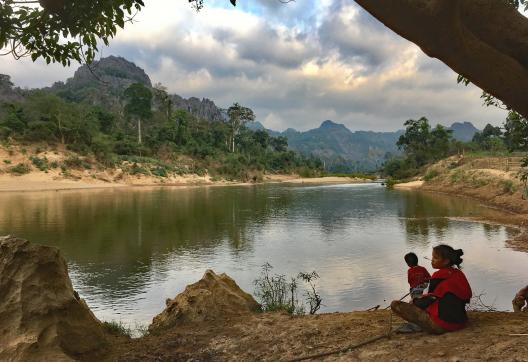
{"type": "Point", "coordinates": [139, 105]}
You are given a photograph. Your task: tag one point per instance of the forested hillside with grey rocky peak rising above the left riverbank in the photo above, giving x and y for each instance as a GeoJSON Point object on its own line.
{"type": "Point", "coordinates": [111, 112]}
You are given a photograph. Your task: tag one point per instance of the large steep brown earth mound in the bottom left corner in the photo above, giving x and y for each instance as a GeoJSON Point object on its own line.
{"type": "Point", "coordinates": [41, 317]}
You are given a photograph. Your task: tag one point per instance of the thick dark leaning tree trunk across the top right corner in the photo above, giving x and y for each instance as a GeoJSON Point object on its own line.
{"type": "Point", "coordinates": [486, 41]}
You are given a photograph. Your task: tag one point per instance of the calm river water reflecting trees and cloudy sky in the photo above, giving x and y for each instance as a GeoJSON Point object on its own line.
{"type": "Point", "coordinates": [130, 249]}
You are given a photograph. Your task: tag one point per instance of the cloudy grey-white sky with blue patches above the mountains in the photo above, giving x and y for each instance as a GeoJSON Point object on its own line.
{"type": "Point", "coordinates": [294, 64]}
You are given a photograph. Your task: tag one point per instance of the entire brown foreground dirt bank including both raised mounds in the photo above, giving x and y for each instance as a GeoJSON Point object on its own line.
{"type": "Point", "coordinates": [214, 320]}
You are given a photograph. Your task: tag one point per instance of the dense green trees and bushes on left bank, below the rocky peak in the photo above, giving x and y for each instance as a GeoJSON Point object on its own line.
{"type": "Point", "coordinates": [110, 137]}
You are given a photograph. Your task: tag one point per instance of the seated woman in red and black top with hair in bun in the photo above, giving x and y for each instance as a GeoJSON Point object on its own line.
{"type": "Point", "coordinates": [443, 308]}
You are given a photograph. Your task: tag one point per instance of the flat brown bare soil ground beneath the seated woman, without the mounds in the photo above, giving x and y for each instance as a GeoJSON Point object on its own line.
{"type": "Point", "coordinates": [278, 337]}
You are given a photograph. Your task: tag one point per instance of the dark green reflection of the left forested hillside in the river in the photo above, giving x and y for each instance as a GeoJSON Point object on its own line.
{"type": "Point", "coordinates": [114, 236]}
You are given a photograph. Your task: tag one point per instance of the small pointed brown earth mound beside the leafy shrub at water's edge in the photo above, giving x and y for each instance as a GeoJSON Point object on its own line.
{"type": "Point", "coordinates": [213, 297]}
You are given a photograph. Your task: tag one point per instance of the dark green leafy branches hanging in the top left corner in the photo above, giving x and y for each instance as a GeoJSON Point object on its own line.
{"type": "Point", "coordinates": [62, 30]}
